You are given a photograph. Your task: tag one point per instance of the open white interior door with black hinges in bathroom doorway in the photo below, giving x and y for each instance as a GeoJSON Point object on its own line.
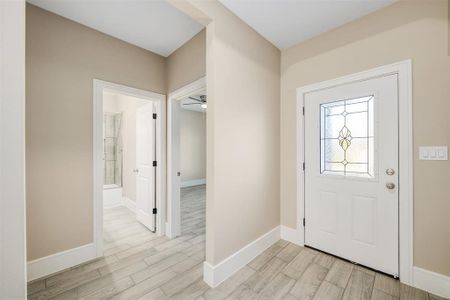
{"type": "Point", "coordinates": [145, 171]}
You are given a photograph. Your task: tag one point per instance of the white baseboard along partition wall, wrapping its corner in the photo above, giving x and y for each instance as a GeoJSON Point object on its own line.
{"type": "Point", "coordinates": [214, 275]}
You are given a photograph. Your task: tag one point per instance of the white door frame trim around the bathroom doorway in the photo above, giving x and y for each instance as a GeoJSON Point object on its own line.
{"type": "Point", "coordinates": [99, 86]}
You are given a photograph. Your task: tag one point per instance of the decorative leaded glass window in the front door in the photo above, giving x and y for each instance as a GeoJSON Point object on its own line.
{"type": "Point", "coordinates": [347, 137]}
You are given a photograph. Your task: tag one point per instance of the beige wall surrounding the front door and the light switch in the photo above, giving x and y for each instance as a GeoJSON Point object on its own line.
{"type": "Point", "coordinates": [407, 29]}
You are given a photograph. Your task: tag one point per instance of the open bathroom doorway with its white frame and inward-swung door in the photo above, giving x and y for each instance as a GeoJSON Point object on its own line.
{"type": "Point", "coordinates": [127, 178]}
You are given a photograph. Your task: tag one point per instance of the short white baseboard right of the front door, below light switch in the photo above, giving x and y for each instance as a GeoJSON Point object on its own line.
{"type": "Point", "coordinates": [429, 281]}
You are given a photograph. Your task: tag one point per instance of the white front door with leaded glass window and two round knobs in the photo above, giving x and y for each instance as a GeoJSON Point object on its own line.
{"type": "Point", "coordinates": [351, 172]}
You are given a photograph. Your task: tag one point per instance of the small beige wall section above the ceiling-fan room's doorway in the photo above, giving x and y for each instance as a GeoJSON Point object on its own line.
{"type": "Point", "coordinates": [187, 63]}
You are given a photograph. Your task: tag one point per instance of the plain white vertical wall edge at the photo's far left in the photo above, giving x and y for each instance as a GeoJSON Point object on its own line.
{"type": "Point", "coordinates": [12, 151]}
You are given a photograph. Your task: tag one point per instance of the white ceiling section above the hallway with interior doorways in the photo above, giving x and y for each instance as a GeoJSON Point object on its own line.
{"type": "Point", "coordinates": [154, 25]}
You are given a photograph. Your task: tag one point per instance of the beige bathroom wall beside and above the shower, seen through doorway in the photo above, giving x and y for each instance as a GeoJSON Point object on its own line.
{"type": "Point", "coordinates": [127, 106]}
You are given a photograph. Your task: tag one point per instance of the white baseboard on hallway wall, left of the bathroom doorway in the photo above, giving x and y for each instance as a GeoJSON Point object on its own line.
{"type": "Point", "coordinates": [45, 266]}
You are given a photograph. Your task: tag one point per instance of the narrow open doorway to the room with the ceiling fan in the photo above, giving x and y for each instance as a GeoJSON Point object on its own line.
{"type": "Point", "coordinates": [186, 150]}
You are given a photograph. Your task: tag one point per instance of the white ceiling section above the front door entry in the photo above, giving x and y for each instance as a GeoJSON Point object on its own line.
{"type": "Point", "coordinates": [288, 22]}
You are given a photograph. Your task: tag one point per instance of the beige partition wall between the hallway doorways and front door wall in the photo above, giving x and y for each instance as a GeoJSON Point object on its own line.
{"type": "Point", "coordinates": [243, 72]}
